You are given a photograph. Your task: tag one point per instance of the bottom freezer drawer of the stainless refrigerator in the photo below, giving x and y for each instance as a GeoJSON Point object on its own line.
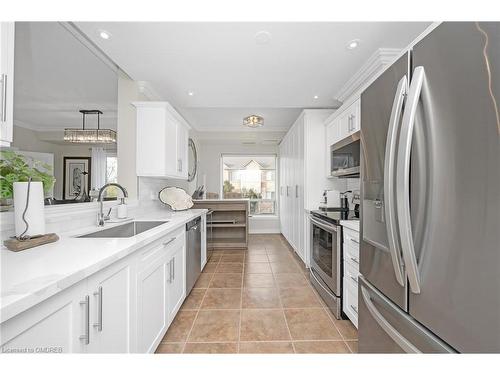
{"type": "Point", "coordinates": [385, 328]}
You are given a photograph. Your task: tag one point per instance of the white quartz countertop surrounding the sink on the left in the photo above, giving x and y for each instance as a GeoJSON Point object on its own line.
{"type": "Point", "coordinates": [29, 277]}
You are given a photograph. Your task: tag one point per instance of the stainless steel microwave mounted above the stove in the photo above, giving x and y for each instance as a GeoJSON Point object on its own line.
{"type": "Point", "coordinates": [344, 157]}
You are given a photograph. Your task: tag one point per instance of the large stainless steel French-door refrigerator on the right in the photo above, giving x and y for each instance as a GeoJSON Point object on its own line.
{"type": "Point", "coordinates": [430, 227]}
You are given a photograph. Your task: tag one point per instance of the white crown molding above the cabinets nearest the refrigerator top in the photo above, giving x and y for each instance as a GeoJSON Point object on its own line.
{"type": "Point", "coordinates": [376, 63]}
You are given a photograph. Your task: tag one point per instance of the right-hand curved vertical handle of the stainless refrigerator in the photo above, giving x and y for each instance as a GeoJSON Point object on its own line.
{"type": "Point", "coordinates": [403, 179]}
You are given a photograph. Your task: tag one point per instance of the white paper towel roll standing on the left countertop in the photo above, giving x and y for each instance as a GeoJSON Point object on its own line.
{"type": "Point", "coordinates": [35, 214]}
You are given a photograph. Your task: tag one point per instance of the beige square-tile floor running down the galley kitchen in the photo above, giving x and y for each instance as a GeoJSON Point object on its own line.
{"type": "Point", "coordinates": [257, 300]}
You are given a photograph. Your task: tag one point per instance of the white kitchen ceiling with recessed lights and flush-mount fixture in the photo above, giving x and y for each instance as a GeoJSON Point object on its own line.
{"type": "Point", "coordinates": [233, 70]}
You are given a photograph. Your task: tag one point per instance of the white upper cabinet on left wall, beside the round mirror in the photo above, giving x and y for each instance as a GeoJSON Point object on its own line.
{"type": "Point", "coordinates": [162, 141]}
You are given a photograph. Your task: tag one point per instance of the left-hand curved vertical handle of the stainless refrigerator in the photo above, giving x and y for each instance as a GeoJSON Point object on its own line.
{"type": "Point", "coordinates": [389, 166]}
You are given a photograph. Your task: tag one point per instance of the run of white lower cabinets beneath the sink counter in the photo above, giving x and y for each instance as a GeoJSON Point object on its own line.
{"type": "Point", "coordinates": [126, 307]}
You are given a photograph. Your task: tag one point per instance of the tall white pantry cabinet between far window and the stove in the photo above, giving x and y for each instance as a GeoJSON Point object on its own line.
{"type": "Point", "coordinates": [302, 162]}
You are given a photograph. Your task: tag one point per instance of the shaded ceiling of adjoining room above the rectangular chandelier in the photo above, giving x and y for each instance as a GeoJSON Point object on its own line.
{"type": "Point", "coordinates": [56, 76]}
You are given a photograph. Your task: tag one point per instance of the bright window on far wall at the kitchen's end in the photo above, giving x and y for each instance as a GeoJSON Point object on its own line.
{"type": "Point", "coordinates": [252, 177]}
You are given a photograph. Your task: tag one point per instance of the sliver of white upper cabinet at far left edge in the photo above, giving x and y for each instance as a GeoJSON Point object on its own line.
{"type": "Point", "coordinates": [6, 82]}
